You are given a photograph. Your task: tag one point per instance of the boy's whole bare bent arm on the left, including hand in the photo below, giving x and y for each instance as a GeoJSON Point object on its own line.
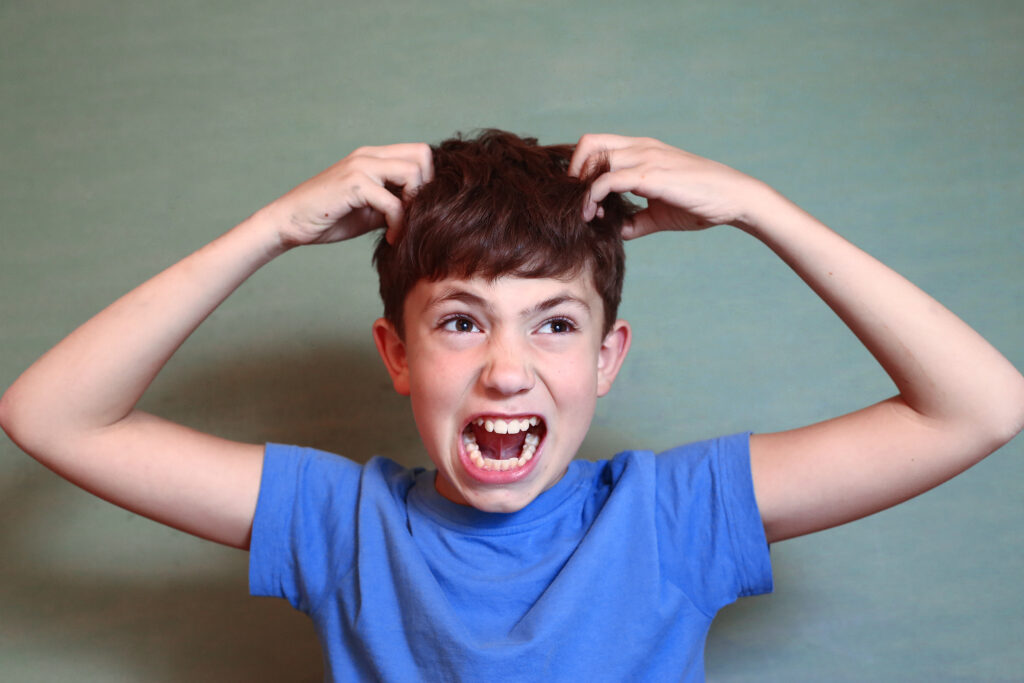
{"type": "Point", "coordinates": [74, 410]}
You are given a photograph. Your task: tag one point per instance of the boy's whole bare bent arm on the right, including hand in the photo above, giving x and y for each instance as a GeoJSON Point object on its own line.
{"type": "Point", "coordinates": [959, 399]}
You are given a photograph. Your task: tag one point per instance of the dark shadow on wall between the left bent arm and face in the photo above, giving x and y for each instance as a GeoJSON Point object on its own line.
{"type": "Point", "coordinates": [317, 393]}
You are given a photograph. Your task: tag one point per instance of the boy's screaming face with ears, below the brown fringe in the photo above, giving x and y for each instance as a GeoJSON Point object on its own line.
{"type": "Point", "coordinates": [504, 377]}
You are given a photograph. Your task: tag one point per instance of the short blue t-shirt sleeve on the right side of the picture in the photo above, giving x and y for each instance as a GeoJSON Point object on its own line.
{"type": "Point", "coordinates": [711, 538]}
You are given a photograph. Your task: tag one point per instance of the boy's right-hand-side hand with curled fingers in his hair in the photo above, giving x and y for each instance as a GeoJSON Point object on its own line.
{"type": "Point", "coordinates": [684, 192]}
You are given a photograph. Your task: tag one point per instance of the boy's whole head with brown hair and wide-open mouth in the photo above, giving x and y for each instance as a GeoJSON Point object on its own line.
{"type": "Point", "coordinates": [500, 316]}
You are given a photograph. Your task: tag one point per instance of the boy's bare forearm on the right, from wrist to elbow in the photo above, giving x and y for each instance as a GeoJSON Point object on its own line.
{"type": "Point", "coordinates": [945, 371]}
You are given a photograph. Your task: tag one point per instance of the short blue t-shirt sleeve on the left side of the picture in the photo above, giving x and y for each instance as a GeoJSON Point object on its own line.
{"type": "Point", "coordinates": [304, 528]}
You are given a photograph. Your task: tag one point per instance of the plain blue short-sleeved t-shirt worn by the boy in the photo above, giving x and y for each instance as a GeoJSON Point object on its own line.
{"type": "Point", "coordinates": [614, 574]}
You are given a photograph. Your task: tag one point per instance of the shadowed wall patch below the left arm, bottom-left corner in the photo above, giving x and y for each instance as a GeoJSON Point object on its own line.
{"type": "Point", "coordinates": [91, 614]}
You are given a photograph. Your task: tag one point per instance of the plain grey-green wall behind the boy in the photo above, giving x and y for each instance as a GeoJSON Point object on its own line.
{"type": "Point", "coordinates": [134, 133]}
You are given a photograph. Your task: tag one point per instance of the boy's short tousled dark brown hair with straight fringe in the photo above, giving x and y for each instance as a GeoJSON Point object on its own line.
{"type": "Point", "coordinates": [503, 205]}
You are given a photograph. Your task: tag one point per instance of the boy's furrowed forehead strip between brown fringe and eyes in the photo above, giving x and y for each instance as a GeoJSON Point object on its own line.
{"type": "Point", "coordinates": [505, 296]}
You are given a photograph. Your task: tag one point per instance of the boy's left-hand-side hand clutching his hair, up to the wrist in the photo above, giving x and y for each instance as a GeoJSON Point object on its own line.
{"type": "Point", "coordinates": [355, 196]}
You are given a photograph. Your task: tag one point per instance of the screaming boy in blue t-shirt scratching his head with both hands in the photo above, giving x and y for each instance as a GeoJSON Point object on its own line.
{"type": "Point", "coordinates": [500, 272]}
